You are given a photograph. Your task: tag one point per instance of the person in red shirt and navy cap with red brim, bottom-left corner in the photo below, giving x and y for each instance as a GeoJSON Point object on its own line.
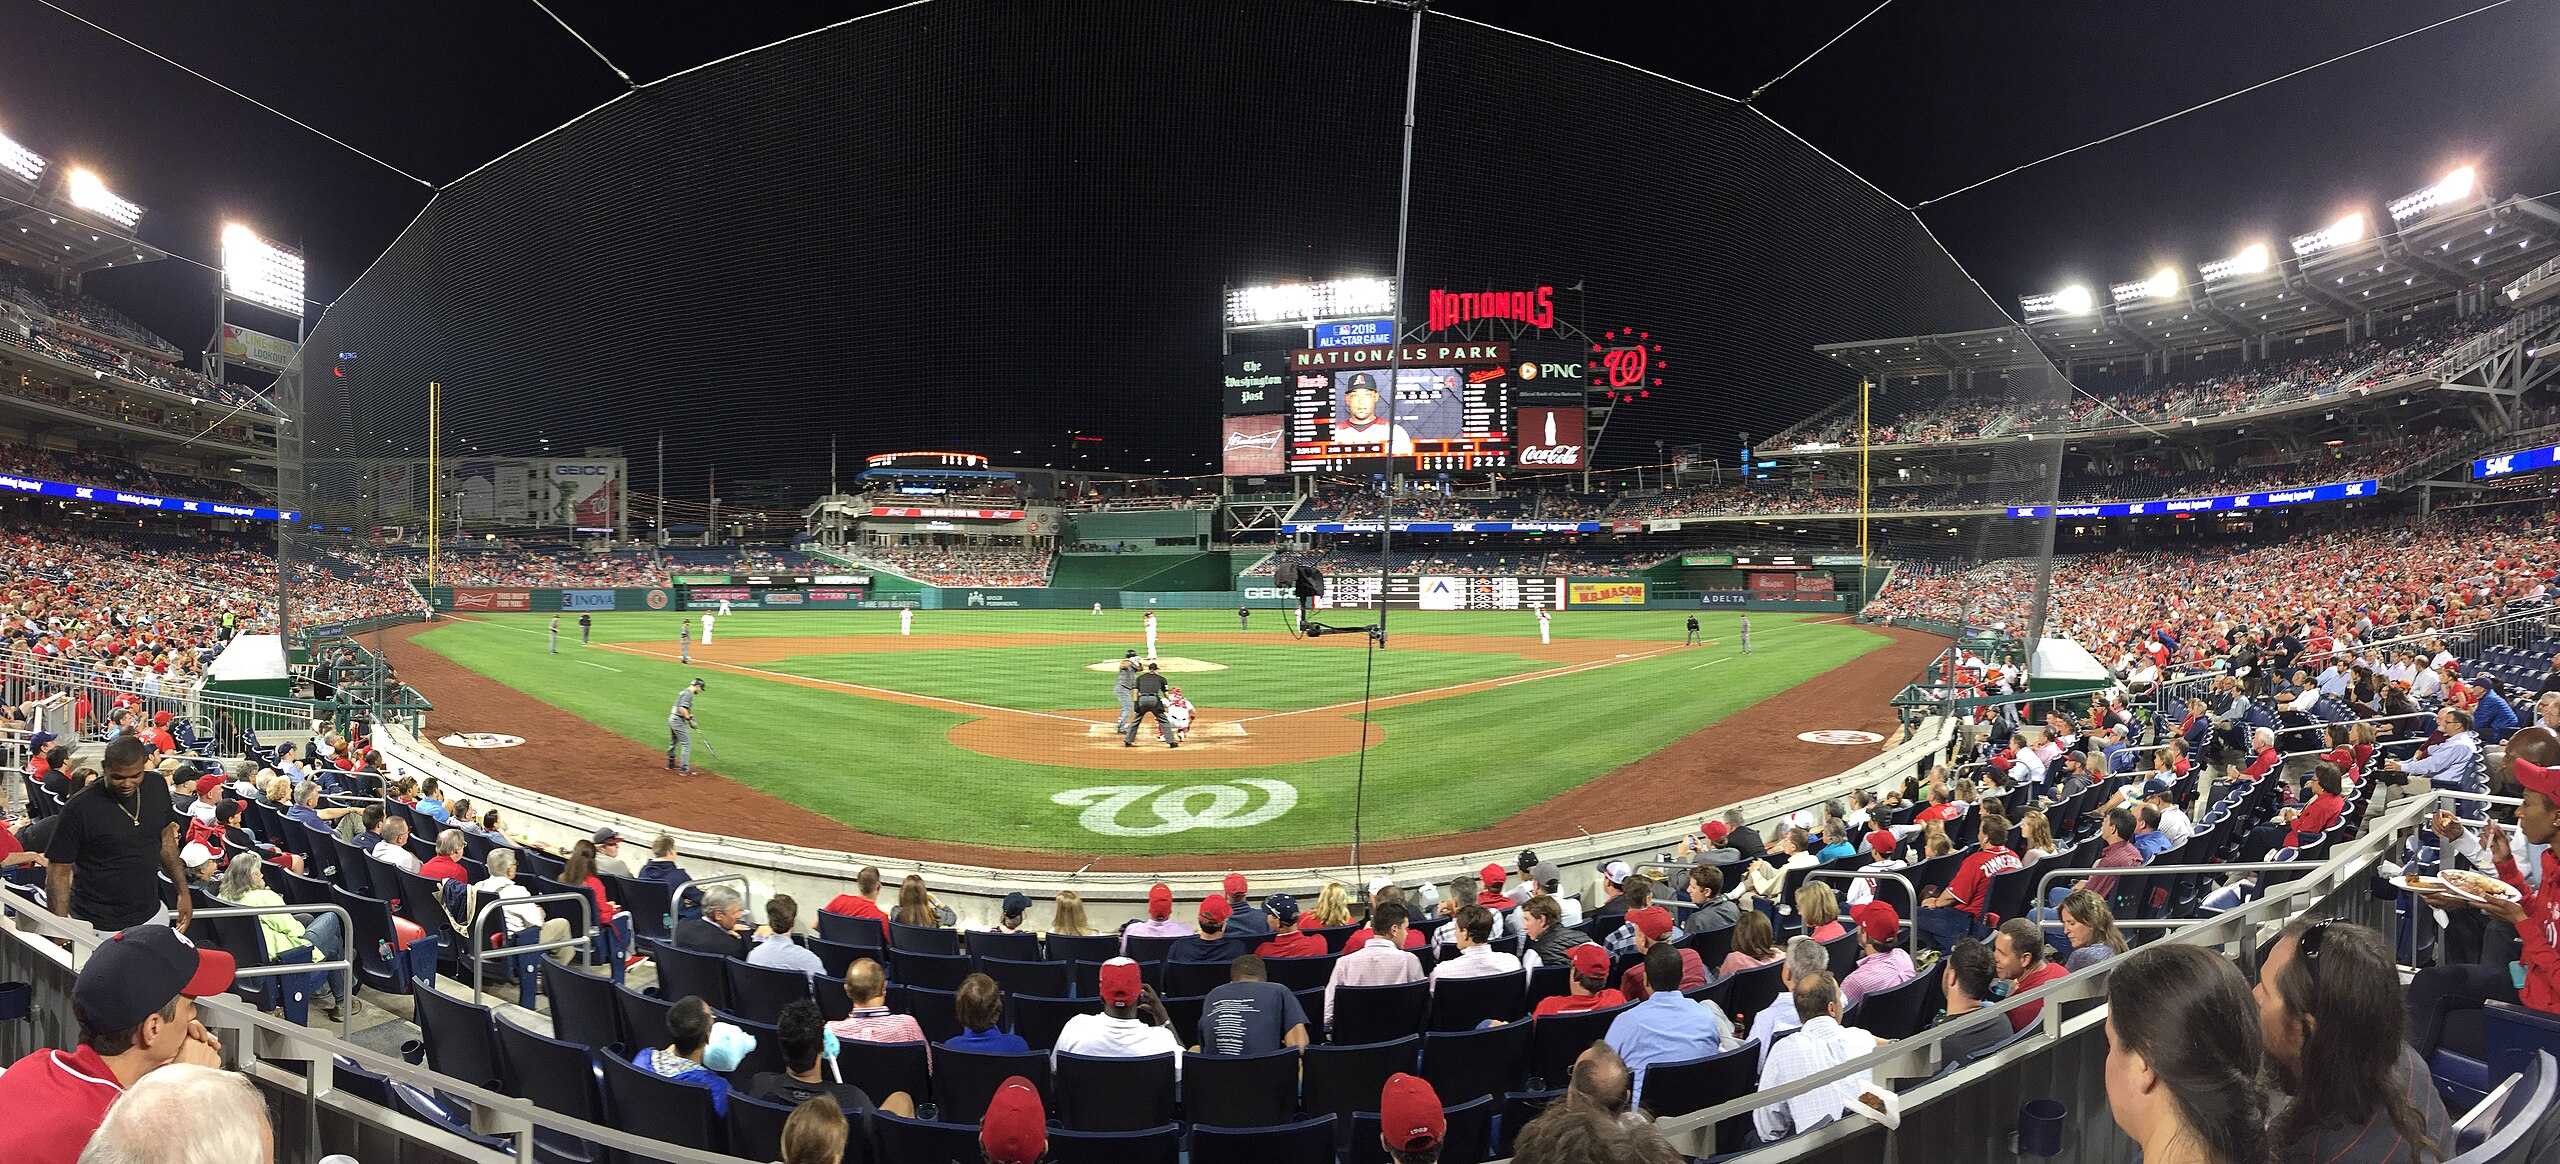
{"type": "Point", "coordinates": [134, 1004]}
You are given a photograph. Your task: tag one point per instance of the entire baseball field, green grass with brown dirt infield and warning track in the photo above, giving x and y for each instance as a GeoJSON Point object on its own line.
{"type": "Point", "coordinates": [995, 730]}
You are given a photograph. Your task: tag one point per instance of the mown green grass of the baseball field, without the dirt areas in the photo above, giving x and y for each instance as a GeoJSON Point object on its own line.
{"type": "Point", "coordinates": [1445, 764]}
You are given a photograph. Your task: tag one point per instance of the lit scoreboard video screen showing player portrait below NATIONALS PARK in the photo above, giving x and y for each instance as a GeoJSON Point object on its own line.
{"type": "Point", "coordinates": [1443, 418]}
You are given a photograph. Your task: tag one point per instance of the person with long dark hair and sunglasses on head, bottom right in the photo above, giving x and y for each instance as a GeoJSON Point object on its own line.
{"type": "Point", "coordinates": [2336, 1040]}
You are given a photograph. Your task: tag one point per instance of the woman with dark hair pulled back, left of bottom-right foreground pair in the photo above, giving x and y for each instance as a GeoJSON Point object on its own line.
{"type": "Point", "coordinates": [2185, 1055]}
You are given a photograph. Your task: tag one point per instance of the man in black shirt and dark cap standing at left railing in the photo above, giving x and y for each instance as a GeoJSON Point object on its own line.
{"type": "Point", "coordinates": [116, 840]}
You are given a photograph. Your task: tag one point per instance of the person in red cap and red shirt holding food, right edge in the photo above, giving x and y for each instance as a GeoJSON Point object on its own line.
{"type": "Point", "coordinates": [2536, 912]}
